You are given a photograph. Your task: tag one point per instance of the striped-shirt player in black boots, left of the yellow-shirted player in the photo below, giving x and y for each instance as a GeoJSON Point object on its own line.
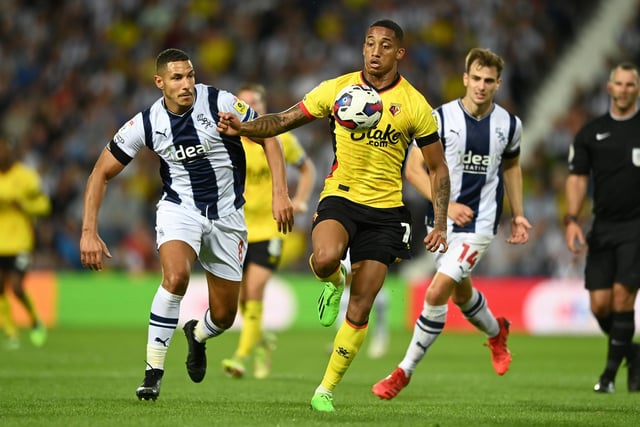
{"type": "Point", "coordinates": [200, 213]}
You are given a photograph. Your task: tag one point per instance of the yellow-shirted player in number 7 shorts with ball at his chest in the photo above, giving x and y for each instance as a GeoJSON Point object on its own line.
{"type": "Point", "coordinates": [361, 208]}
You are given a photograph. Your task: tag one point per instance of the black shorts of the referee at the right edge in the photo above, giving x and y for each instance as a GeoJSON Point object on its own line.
{"type": "Point", "coordinates": [613, 255]}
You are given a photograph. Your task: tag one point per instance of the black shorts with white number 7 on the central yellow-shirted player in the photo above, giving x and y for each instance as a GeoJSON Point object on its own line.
{"type": "Point", "coordinates": [379, 234]}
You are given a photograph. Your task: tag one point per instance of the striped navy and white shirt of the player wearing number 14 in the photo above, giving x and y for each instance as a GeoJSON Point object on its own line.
{"type": "Point", "coordinates": [474, 150]}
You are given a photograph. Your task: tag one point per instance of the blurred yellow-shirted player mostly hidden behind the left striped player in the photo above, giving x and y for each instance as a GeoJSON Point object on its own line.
{"type": "Point", "coordinates": [265, 242]}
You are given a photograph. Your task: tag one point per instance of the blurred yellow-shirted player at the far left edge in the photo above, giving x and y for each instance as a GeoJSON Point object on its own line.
{"type": "Point", "coordinates": [21, 201]}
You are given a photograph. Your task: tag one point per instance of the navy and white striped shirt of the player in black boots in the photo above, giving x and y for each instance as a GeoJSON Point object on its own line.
{"type": "Point", "coordinates": [201, 169]}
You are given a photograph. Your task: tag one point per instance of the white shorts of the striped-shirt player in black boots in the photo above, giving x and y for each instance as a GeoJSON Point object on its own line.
{"type": "Point", "coordinates": [221, 244]}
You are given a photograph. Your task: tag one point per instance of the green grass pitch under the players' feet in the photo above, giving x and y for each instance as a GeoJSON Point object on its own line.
{"type": "Point", "coordinates": [87, 377]}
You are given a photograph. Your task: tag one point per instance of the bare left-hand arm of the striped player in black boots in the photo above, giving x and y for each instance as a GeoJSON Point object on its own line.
{"type": "Point", "coordinates": [92, 247]}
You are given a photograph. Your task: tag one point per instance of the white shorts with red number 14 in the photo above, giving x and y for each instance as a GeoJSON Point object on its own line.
{"type": "Point", "coordinates": [464, 253]}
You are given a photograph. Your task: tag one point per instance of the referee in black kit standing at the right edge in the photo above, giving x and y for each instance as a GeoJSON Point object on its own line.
{"type": "Point", "coordinates": [607, 149]}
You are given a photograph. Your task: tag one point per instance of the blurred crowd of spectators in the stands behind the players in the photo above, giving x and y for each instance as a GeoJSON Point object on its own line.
{"type": "Point", "coordinates": [74, 70]}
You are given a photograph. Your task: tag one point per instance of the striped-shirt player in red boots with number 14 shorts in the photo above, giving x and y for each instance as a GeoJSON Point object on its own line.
{"type": "Point", "coordinates": [482, 145]}
